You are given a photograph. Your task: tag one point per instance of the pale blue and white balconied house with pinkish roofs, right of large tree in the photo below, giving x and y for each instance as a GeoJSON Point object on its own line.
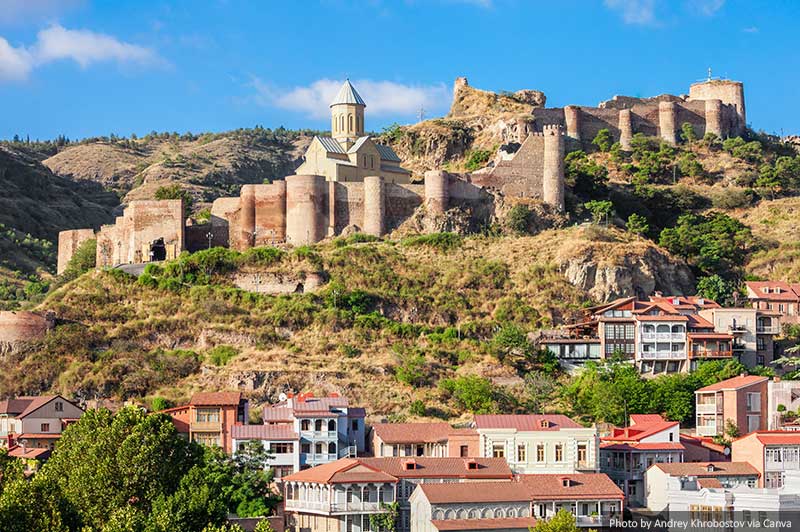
{"type": "Point", "coordinates": [304, 431]}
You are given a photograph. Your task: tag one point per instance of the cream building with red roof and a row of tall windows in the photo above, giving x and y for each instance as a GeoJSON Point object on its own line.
{"type": "Point", "coordinates": [550, 443]}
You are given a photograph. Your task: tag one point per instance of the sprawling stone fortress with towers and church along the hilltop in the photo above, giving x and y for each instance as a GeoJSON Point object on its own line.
{"type": "Point", "coordinates": [349, 182]}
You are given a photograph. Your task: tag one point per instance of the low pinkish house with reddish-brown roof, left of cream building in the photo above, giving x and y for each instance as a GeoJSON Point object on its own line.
{"type": "Point", "coordinates": [423, 439]}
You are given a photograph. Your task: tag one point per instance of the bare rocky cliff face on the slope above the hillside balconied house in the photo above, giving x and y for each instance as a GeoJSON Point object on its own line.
{"type": "Point", "coordinates": [633, 274]}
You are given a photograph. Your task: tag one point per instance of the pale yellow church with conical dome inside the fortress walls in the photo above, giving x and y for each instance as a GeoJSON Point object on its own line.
{"type": "Point", "coordinates": [348, 154]}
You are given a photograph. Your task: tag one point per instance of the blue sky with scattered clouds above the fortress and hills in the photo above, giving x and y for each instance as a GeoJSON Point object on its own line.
{"type": "Point", "coordinates": [83, 67]}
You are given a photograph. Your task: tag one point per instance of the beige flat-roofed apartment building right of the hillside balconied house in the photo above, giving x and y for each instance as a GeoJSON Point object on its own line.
{"type": "Point", "coordinates": [753, 331]}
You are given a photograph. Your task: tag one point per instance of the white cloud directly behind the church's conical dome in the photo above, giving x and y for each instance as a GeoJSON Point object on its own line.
{"type": "Point", "coordinates": [382, 97]}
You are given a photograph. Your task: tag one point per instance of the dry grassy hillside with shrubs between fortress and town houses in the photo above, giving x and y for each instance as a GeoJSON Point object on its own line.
{"type": "Point", "coordinates": [393, 321]}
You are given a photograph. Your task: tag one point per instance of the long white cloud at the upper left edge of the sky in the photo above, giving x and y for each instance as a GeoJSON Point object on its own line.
{"type": "Point", "coordinates": [57, 43]}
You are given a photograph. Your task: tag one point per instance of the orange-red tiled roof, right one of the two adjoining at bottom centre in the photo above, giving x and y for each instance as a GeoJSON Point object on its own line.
{"type": "Point", "coordinates": [581, 485]}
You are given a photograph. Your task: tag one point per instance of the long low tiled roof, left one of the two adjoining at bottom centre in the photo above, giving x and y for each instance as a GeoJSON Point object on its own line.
{"type": "Point", "coordinates": [471, 492]}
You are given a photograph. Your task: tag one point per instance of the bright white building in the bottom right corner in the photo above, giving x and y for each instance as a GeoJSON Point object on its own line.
{"type": "Point", "coordinates": [706, 499]}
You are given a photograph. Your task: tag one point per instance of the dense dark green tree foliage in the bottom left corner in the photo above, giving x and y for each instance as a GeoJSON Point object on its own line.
{"type": "Point", "coordinates": [133, 472]}
